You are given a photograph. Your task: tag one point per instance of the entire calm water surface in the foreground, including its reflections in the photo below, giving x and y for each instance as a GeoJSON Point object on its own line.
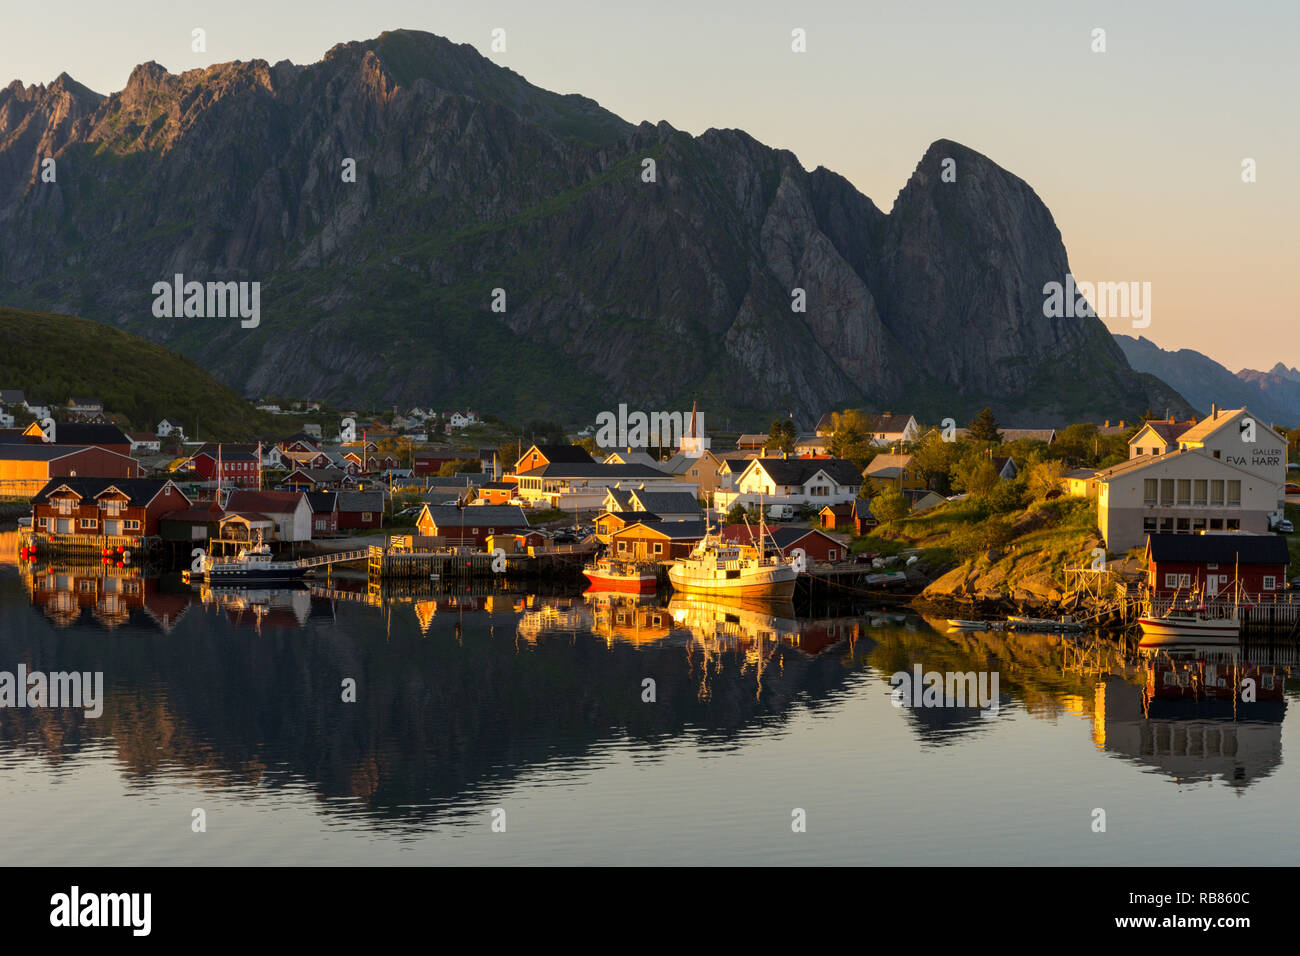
{"type": "Point", "coordinates": [534, 706]}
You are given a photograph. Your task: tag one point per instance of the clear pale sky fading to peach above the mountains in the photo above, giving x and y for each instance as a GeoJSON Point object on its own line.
{"type": "Point", "coordinates": [1138, 152]}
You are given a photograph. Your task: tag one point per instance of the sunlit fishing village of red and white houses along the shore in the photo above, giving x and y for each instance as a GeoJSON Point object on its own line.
{"type": "Point", "coordinates": [1172, 530]}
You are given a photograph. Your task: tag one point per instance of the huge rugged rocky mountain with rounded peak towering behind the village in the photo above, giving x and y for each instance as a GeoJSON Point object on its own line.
{"type": "Point", "coordinates": [470, 180]}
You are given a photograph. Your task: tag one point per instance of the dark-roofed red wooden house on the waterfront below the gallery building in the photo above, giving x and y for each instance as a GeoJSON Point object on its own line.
{"type": "Point", "coordinates": [1214, 565]}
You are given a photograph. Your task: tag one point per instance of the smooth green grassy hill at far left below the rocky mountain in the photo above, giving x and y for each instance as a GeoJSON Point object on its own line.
{"type": "Point", "coordinates": [53, 357]}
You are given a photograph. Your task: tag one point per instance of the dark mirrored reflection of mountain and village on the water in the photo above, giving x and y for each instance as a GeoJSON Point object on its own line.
{"type": "Point", "coordinates": [460, 693]}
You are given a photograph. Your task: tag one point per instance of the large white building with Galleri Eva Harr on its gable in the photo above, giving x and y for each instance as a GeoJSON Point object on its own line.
{"type": "Point", "coordinates": [1224, 474]}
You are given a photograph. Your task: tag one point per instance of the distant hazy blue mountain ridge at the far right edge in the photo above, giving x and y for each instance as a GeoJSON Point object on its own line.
{"type": "Point", "coordinates": [1273, 395]}
